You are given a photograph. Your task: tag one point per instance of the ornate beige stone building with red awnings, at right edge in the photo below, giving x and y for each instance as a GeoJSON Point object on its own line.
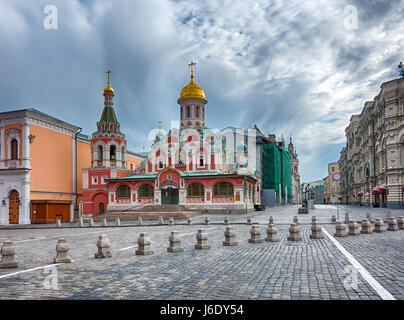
{"type": "Point", "coordinates": [372, 162]}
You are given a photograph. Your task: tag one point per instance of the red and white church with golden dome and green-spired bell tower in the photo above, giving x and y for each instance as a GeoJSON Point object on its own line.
{"type": "Point", "coordinates": [191, 166]}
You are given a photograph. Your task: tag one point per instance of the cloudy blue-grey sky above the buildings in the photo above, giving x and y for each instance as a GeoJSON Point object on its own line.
{"type": "Point", "coordinates": [294, 68]}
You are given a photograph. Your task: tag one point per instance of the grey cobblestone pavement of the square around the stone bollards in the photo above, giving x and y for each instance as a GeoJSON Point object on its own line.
{"type": "Point", "coordinates": [310, 269]}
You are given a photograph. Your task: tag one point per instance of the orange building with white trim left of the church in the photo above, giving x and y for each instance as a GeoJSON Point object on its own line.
{"type": "Point", "coordinates": [39, 183]}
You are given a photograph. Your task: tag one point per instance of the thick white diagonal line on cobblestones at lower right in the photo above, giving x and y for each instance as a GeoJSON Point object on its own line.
{"type": "Point", "coordinates": [381, 291]}
